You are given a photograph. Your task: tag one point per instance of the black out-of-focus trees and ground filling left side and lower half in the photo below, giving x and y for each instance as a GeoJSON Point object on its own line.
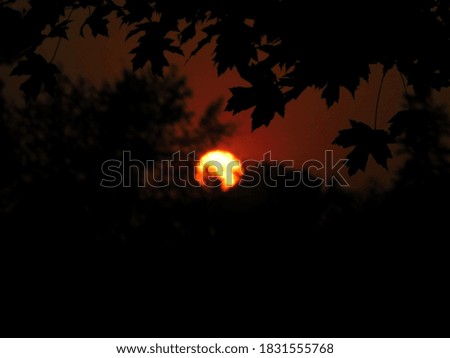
{"type": "Point", "coordinates": [81, 260]}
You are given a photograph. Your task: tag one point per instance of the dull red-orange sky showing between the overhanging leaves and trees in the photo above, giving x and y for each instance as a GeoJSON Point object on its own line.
{"type": "Point", "coordinates": [306, 131]}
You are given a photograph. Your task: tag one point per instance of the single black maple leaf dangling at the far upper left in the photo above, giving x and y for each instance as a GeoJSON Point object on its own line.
{"type": "Point", "coordinates": [41, 74]}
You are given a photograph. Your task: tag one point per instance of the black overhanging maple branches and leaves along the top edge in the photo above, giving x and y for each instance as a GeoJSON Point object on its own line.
{"type": "Point", "coordinates": [280, 47]}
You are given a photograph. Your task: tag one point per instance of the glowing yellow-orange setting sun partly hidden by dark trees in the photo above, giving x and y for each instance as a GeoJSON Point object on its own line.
{"type": "Point", "coordinates": [218, 165]}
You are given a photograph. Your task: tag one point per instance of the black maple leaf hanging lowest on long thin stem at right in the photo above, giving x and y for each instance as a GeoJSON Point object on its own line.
{"type": "Point", "coordinates": [366, 141]}
